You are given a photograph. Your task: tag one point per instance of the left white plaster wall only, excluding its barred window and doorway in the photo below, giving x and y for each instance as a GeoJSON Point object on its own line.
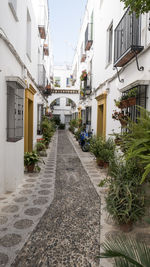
{"type": "Point", "coordinates": [19, 46]}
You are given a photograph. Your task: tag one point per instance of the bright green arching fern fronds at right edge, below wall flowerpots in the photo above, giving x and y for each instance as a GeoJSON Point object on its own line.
{"type": "Point", "coordinates": [137, 141]}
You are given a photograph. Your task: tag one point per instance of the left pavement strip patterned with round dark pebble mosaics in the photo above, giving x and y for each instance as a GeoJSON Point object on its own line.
{"type": "Point", "coordinates": [21, 211]}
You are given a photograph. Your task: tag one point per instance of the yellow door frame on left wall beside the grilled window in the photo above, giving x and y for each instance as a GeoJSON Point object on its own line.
{"type": "Point", "coordinates": [28, 118]}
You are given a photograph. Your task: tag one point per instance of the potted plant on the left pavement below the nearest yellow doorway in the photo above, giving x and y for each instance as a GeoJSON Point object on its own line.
{"type": "Point", "coordinates": [30, 159]}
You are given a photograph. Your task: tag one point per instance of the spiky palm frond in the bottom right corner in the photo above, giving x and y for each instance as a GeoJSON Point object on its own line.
{"type": "Point", "coordinates": [126, 252]}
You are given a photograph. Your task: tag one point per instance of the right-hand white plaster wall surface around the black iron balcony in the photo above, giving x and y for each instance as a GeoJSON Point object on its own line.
{"type": "Point", "coordinates": [106, 16]}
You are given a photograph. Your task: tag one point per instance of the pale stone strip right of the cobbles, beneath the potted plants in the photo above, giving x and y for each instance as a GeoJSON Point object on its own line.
{"type": "Point", "coordinates": [140, 231]}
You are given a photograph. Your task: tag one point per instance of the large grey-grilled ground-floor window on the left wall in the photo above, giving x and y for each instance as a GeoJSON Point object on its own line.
{"type": "Point", "coordinates": [15, 106]}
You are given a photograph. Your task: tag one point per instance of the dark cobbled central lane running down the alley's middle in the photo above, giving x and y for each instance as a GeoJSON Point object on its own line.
{"type": "Point", "coordinates": [68, 234]}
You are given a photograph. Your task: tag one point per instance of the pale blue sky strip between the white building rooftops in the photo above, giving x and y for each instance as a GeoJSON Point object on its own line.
{"type": "Point", "coordinates": [65, 19]}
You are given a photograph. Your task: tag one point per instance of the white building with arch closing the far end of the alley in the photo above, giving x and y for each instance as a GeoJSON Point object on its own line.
{"type": "Point", "coordinates": [65, 97]}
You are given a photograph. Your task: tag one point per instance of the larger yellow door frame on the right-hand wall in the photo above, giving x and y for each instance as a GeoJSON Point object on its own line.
{"type": "Point", "coordinates": [101, 114]}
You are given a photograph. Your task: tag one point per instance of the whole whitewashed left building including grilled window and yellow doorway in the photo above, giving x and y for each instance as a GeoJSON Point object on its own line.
{"type": "Point", "coordinates": [21, 50]}
